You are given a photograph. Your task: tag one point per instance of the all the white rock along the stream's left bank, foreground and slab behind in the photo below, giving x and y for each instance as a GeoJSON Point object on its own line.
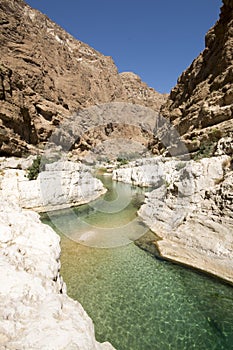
{"type": "Point", "coordinates": [35, 312]}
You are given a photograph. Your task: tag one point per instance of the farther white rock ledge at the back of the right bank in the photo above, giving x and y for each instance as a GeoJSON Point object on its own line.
{"type": "Point", "coordinates": [158, 171]}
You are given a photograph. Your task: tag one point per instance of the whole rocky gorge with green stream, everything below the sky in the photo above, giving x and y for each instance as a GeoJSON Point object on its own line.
{"type": "Point", "coordinates": [115, 198]}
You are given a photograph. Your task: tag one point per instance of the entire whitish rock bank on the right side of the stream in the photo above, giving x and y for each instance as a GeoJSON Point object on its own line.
{"type": "Point", "coordinates": [190, 209]}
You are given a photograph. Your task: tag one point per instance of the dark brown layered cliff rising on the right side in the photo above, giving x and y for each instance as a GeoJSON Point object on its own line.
{"type": "Point", "coordinates": [200, 105]}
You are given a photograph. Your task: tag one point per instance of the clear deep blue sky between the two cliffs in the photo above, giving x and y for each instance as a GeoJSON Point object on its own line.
{"type": "Point", "coordinates": [156, 39]}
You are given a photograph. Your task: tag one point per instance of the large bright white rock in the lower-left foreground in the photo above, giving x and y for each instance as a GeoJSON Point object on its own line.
{"type": "Point", "coordinates": [35, 312]}
